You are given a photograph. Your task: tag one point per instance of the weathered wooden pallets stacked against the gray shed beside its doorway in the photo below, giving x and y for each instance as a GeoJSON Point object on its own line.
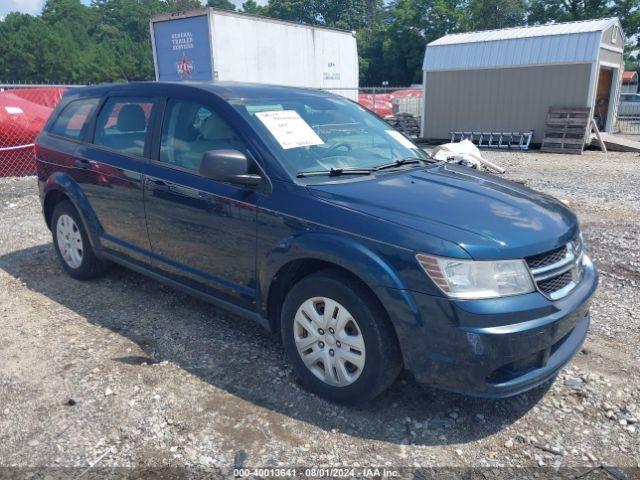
{"type": "Point", "coordinates": [567, 129]}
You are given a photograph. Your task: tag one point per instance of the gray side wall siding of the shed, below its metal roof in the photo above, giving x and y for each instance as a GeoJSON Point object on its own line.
{"type": "Point", "coordinates": [507, 99]}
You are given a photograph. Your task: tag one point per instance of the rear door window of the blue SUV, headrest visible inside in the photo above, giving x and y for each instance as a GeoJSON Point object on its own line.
{"type": "Point", "coordinates": [122, 124]}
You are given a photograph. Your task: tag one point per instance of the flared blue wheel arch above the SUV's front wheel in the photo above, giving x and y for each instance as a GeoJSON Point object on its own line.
{"type": "Point", "coordinates": [347, 253]}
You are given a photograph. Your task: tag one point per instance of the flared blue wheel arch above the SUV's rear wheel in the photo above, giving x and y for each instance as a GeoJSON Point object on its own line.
{"type": "Point", "coordinates": [64, 183]}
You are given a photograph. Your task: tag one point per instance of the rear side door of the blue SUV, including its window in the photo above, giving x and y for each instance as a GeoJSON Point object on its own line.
{"type": "Point", "coordinates": [115, 158]}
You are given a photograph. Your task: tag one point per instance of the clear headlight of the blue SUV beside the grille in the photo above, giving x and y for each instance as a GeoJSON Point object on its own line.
{"type": "Point", "coordinates": [469, 279]}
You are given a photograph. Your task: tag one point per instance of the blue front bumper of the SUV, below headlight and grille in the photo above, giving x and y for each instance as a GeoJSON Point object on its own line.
{"type": "Point", "coordinates": [492, 348]}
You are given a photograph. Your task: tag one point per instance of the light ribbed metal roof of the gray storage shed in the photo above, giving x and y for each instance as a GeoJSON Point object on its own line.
{"type": "Point", "coordinates": [558, 43]}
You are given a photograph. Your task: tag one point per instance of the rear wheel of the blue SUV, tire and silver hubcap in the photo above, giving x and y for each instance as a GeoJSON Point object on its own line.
{"type": "Point", "coordinates": [72, 244]}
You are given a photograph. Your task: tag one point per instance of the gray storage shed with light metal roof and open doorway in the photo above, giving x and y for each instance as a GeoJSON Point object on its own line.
{"type": "Point", "coordinates": [506, 80]}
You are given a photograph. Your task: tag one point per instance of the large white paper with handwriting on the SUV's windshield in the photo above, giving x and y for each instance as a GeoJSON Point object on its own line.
{"type": "Point", "coordinates": [289, 129]}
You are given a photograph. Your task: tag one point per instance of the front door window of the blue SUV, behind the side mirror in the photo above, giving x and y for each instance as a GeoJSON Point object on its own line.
{"type": "Point", "coordinates": [189, 130]}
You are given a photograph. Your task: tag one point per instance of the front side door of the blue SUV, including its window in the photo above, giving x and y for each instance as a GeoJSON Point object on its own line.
{"type": "Point", "coordinates": [202, 232]}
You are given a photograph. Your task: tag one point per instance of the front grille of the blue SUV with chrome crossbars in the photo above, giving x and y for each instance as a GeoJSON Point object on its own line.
{"type": "Point", "coordinates": [558, 271]}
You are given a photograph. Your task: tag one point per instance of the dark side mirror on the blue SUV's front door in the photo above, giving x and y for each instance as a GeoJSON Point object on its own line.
{"type": "Point", "coordinates": [229, 166]}
